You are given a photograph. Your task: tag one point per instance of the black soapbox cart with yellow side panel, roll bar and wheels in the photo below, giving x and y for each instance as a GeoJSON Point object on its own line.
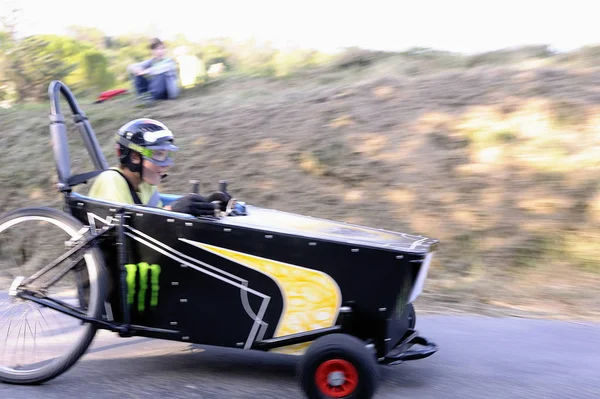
{"type": "Point", "coordinates": [339, 295]}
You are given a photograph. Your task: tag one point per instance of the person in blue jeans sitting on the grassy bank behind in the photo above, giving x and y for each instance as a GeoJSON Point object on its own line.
{"type": "Point", "coordinates": [156, 78]}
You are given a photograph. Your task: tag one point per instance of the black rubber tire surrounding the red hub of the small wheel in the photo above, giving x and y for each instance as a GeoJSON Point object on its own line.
{"type": "Point", "coordinates": [345, 347]}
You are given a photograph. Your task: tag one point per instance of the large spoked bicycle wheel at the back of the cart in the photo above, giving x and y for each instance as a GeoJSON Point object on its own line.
{"type": "Point", "coordinates": [33, 348]}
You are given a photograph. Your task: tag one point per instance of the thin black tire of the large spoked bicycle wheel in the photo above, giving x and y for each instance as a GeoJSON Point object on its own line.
{"type": "Point", "coordinates": [99, 291]}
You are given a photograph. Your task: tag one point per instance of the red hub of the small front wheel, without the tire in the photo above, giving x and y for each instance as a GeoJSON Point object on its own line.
{"type": "Point", "coordinates": [336, 378]}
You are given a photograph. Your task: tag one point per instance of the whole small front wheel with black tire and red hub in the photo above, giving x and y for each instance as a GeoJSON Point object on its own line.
{"type": "Point", "coordinates": [338, 366]}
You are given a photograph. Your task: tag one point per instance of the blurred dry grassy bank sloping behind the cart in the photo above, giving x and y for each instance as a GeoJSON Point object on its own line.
{"type": "Point", "coordinates": [502, 172]}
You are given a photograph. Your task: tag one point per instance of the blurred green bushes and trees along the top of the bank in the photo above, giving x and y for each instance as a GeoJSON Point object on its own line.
{"type": "Point", "coordinates": [89, 61]}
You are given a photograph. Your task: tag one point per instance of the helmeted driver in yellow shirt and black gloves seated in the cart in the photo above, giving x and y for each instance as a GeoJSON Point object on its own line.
{"type": "Point", "coordinates": [145, 147]}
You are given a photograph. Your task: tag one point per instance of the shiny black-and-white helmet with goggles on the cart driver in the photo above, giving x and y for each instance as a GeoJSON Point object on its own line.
{"type": "Point", "coordinates": [148, 137]}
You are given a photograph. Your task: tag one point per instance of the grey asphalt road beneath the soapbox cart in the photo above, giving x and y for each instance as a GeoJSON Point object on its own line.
{"type": "Point", "coordinates": [478, 358]}
